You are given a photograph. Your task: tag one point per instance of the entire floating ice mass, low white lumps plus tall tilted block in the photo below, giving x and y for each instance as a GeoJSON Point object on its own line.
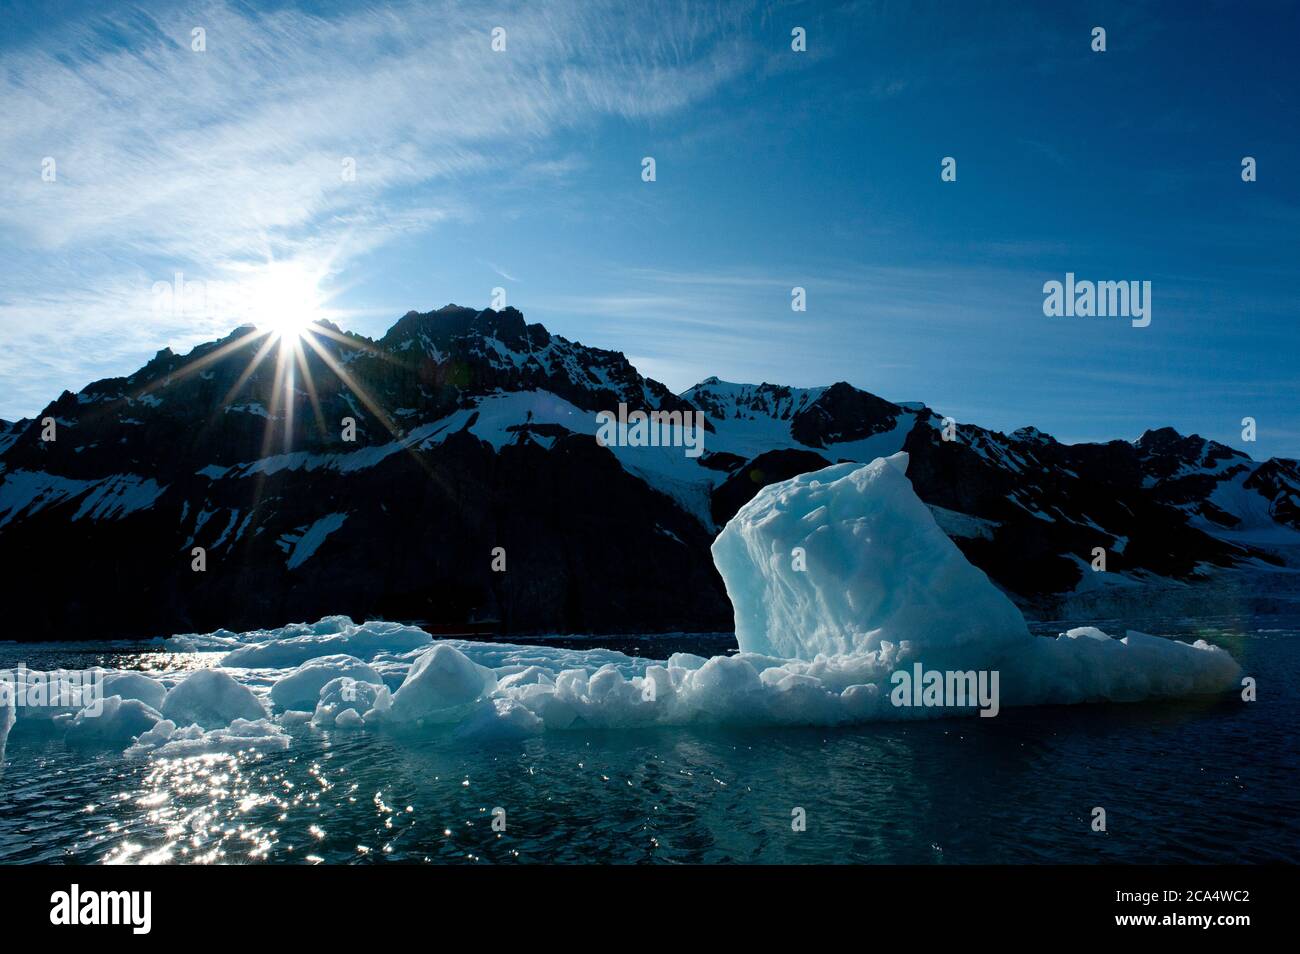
{"type": "Point", "coordinates": [839, 580]}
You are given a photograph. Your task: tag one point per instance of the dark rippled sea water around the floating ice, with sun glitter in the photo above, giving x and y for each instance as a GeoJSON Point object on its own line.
{"type": "Point", "coordinates": [1186, 782]}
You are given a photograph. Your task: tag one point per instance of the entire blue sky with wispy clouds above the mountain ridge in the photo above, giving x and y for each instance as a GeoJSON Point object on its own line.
{"type": "Point", "coordinates": [522, 170]}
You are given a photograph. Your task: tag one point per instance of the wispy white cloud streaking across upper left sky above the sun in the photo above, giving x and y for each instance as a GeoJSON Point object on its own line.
{"type": "Point", "coordinates": [171, 159]}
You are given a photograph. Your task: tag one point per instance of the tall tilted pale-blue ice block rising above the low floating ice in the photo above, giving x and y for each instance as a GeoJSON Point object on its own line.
{"type": "Point", "coordinates": [847, 558]}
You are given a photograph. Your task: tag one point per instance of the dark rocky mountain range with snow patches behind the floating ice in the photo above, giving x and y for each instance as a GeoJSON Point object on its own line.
{"type": "Point", "coordinates": [478, 431]}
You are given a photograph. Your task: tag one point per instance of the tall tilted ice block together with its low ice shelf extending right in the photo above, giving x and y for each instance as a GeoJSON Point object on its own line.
{"type": "Point", "coordinates": [846, 571]}
